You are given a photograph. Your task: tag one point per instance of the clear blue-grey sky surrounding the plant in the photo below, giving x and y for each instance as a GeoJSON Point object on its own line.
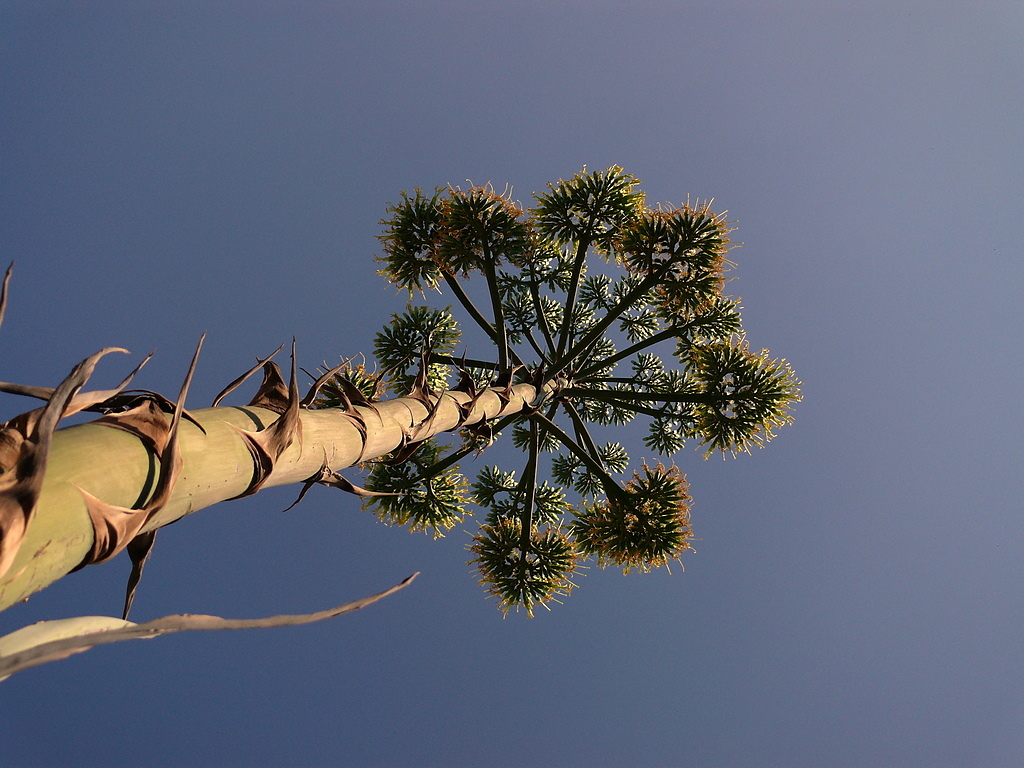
{"type": "Point", "coordinates": [858, 593]}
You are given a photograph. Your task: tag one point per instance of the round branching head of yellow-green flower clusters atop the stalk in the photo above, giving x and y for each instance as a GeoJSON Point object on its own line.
{"type": "Point", "coordinates": [611, 311]}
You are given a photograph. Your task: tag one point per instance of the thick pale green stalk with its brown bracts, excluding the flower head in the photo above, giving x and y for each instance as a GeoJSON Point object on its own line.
{"type": "Point", "coordinates": [221, 457]}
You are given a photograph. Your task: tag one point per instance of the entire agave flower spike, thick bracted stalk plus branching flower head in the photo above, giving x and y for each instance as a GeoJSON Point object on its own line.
{"type": "Point", "coordinates": [587, 272]}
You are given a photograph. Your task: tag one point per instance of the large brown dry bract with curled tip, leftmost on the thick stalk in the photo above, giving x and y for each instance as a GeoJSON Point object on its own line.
{"type": "Point", "coordinates": [25, 446]}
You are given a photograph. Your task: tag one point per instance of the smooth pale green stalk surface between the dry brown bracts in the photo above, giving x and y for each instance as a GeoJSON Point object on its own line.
{"type": "Point", "coordinates": [117, 467]}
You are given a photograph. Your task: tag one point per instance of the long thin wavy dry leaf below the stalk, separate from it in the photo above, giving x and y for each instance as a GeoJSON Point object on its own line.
{"type": "Point", "coordinates": [51, 642]}
